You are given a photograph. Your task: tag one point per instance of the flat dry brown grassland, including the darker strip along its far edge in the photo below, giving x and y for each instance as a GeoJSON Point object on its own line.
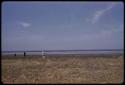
{"type": "Point", "coordinates": [85, 69]}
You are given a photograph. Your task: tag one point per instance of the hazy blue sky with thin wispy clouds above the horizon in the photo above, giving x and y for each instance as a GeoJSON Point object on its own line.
{"type": "Point", "coordinates": [62, 25]}
